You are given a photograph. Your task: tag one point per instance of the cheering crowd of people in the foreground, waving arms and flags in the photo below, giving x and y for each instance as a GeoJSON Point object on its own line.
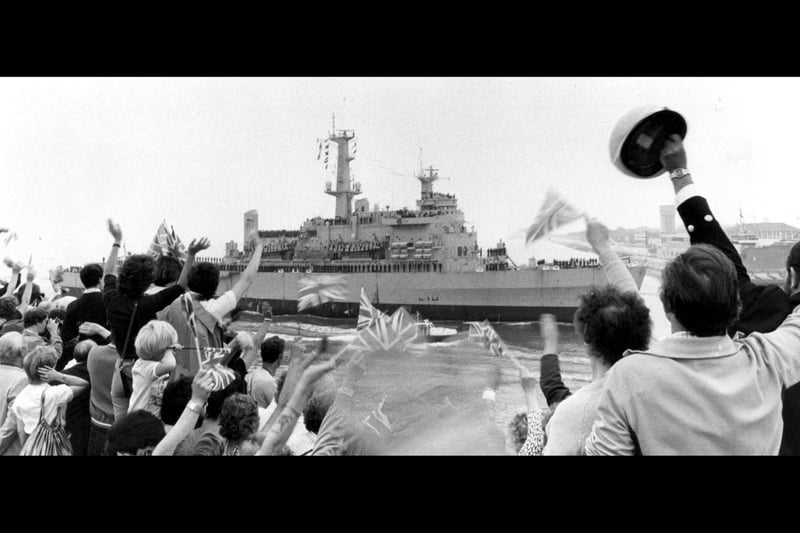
{"type": "Point", "coordinates": [125, 368]}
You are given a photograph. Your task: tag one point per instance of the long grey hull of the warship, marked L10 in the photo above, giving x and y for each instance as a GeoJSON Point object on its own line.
{"type": "Point", "coordinates": [504, 296]}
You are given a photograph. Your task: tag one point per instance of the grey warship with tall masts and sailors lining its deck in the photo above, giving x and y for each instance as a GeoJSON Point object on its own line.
{"type": "Point", "coordinates": [426, 260]}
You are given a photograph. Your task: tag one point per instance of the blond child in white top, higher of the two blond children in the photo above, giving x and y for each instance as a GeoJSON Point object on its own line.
{"type": "Point", "coordinates": [155, 346]}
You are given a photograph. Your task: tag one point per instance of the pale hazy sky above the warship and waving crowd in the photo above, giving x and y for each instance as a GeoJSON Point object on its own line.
{"type": "Point", "coordinates": [199, 152]}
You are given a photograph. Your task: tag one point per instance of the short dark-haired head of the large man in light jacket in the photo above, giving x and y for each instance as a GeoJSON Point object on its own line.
{"type": "Point", "coordinates": [700, 291]}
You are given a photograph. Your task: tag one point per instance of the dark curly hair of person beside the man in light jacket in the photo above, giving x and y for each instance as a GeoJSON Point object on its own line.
{"type": "Point", "coordinates": [612, 321]}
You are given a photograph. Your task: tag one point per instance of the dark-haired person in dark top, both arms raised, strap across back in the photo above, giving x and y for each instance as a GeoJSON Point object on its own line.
{"type": "Point", "coordinates": [128, 307]}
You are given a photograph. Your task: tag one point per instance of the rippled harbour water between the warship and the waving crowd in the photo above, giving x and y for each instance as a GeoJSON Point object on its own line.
{"type": "Point", "coordinates": [451, 375]}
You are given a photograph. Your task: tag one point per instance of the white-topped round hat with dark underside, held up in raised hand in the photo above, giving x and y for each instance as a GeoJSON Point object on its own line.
{"type": "Point", "coordinates": [639, 136]}
